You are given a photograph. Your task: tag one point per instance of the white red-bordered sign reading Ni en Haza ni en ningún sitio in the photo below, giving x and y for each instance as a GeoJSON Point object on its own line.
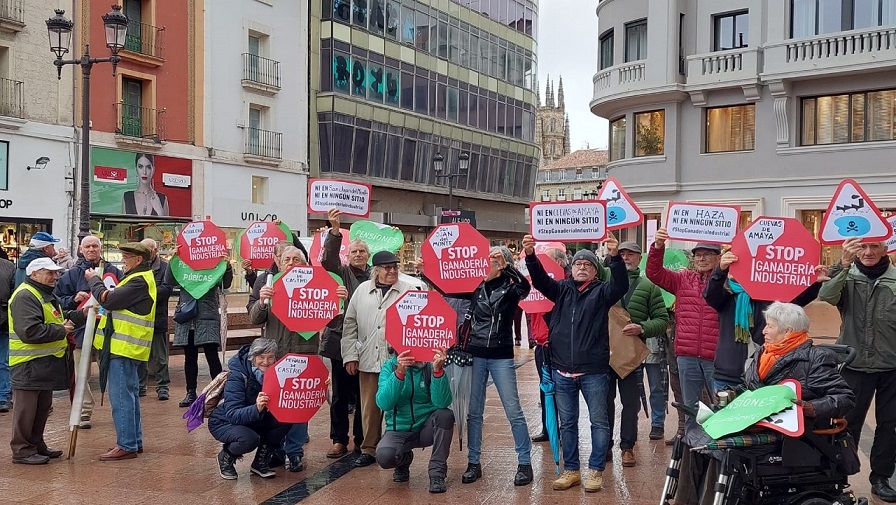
{"type": "Point", "coordinates": [702, 222]}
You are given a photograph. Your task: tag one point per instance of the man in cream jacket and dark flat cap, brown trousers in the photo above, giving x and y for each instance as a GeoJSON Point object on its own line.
{"type": "Point", "coordinates": [364, 348]}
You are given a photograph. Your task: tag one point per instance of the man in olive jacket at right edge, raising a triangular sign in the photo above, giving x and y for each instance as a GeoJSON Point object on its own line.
{"type": "Point", "coordinates": [863, 288]}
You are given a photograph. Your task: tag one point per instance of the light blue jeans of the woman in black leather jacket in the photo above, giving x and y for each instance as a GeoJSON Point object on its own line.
{"type": "Point", "coordinates": [504, 375]}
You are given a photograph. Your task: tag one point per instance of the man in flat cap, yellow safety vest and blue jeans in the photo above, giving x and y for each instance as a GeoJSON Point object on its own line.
{"type": "Point", "coordinates": [125, 335]}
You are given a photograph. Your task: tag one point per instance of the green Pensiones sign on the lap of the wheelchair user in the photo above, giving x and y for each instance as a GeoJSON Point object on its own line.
{"type": "Point", "coordinates": [748, 409]}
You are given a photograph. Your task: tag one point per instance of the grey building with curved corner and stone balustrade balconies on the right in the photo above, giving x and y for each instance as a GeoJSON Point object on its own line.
{"type": "Point", "coordinates": [767, 105]}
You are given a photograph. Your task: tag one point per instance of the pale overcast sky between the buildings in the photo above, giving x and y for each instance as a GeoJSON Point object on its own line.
{"type": "Point", "coordinates": [567, 46]}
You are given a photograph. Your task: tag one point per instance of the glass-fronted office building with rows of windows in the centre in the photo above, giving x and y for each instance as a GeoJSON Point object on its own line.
{"type": "Point", "coordinates": [394, 82]}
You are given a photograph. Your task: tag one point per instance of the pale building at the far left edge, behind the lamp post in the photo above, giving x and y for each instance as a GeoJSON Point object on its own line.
{"type": "Point", "coordinates": [36, 134]}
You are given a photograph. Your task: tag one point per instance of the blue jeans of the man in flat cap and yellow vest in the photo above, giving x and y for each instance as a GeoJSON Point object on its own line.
{"type": "Point", "coordinates": [124, 387]}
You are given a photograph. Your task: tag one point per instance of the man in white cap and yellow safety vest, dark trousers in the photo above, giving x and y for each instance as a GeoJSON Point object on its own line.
{"type": "Point", "coordinates": [39, 359]}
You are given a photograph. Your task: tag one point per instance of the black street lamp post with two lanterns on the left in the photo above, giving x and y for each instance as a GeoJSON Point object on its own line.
{"type": "Point", "coordinates": [59, 28]}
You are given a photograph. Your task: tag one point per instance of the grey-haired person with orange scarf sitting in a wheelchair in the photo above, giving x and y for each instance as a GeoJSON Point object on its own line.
{"type": "Point", "coordinates": [788, 353]}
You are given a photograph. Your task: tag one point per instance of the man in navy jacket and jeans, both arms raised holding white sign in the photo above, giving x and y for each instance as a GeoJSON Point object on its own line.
{"type": "Point", "coordinates": [580, 353]}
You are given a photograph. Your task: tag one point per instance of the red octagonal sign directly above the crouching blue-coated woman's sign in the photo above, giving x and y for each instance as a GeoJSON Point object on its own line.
{"type": "Point", "coordinates": [305, 298]}
